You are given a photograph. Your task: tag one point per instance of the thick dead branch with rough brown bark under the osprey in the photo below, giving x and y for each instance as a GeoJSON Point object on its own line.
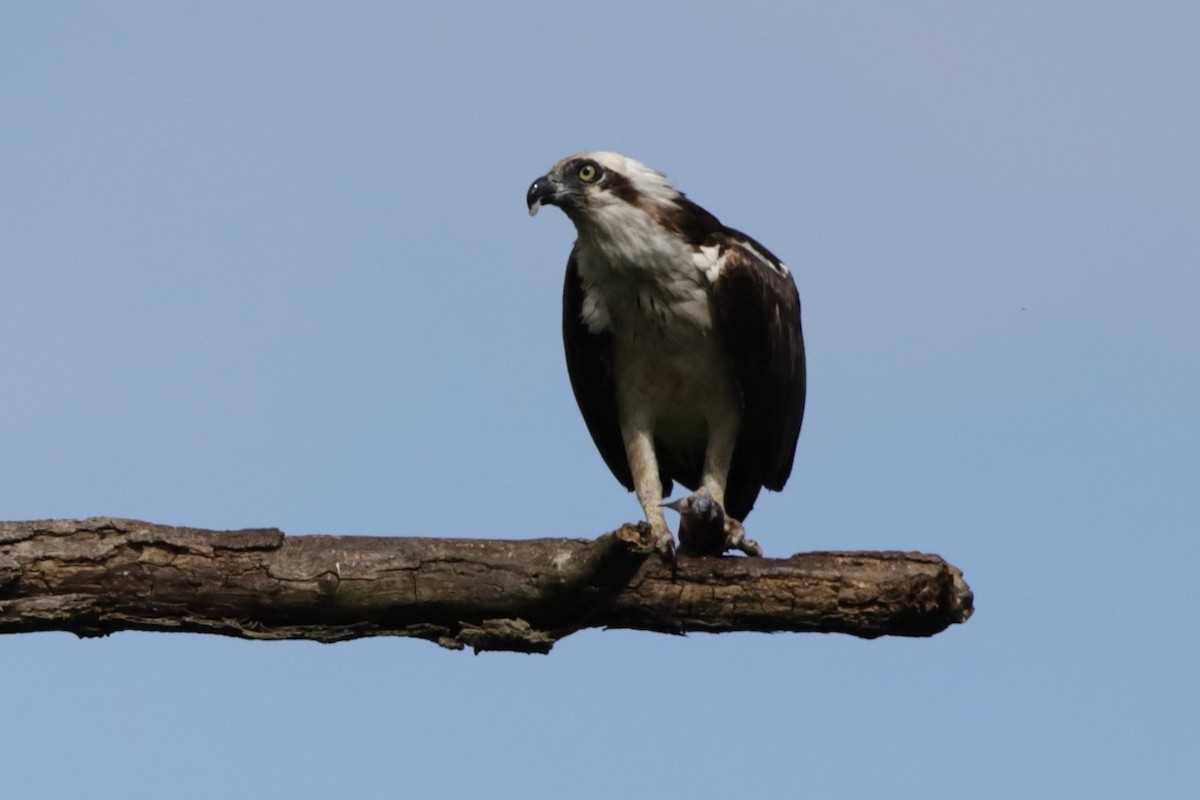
{"type": "Point", "coordinates": [97, 576]}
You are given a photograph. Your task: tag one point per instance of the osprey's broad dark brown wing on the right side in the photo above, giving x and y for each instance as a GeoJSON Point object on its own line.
{"type": "Point", "coordinates": [758, 314]}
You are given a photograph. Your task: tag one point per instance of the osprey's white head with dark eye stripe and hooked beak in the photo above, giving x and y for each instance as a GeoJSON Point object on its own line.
{"type": "Point", "coordinates": [597, 188]}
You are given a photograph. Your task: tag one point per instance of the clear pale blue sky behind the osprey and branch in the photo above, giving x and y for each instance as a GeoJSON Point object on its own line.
{"type": "Point", "coordinates": [269, 266]}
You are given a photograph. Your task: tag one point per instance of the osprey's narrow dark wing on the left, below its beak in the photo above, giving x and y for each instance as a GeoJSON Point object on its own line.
{"type": "Point", "coordinates": [590, 364]}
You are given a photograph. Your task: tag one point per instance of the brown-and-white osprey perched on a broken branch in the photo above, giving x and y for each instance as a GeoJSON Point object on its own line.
{"type": "Point", "coordinates": [683, 341]}
